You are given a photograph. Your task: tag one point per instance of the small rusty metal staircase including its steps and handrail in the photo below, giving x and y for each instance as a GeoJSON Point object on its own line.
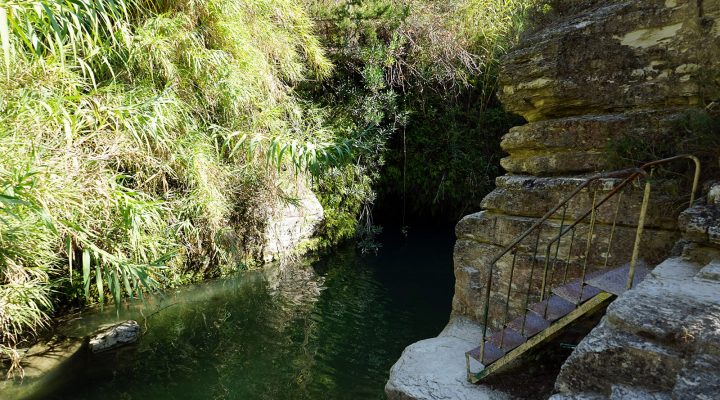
{"type": "Point", "coordinates": [569, 285]}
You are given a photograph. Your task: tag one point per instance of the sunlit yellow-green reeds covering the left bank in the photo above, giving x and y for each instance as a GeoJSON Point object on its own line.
{"type": "Point", "coordinates": [136, 139]}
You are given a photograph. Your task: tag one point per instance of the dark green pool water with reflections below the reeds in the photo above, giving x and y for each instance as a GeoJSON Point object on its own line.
{"type": "Point", "coordinates": [328, 329]}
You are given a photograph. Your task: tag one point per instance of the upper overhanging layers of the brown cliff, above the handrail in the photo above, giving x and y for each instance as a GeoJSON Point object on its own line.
{"type": "Point", "coordinates": [602, 69]}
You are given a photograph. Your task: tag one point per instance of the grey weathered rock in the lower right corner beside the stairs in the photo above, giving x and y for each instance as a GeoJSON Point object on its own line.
{"type": "Point", "coordinates": [662, 337]}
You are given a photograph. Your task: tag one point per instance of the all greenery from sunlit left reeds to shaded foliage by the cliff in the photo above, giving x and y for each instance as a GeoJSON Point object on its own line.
{"type": "Point", "coordinates": [142, 141]}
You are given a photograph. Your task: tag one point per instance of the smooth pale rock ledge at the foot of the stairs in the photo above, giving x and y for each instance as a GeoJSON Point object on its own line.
{"type": "Point", "coordinates": [435, 368]}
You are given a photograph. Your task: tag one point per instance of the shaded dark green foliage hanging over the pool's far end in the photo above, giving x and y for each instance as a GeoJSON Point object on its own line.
{"type": "Point", "coordinates": [420, 77]}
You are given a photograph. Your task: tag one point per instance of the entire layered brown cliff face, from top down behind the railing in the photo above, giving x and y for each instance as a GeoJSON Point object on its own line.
{"type": "Point", "coordinates": [595, 72]}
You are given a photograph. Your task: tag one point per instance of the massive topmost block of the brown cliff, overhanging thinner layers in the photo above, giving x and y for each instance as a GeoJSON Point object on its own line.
{"type": "Point", "coordinates": [605, 57]}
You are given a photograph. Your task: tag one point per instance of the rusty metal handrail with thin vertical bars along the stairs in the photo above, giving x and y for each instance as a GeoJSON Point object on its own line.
{"type": "Point", "coordinates": [630, 175]}
